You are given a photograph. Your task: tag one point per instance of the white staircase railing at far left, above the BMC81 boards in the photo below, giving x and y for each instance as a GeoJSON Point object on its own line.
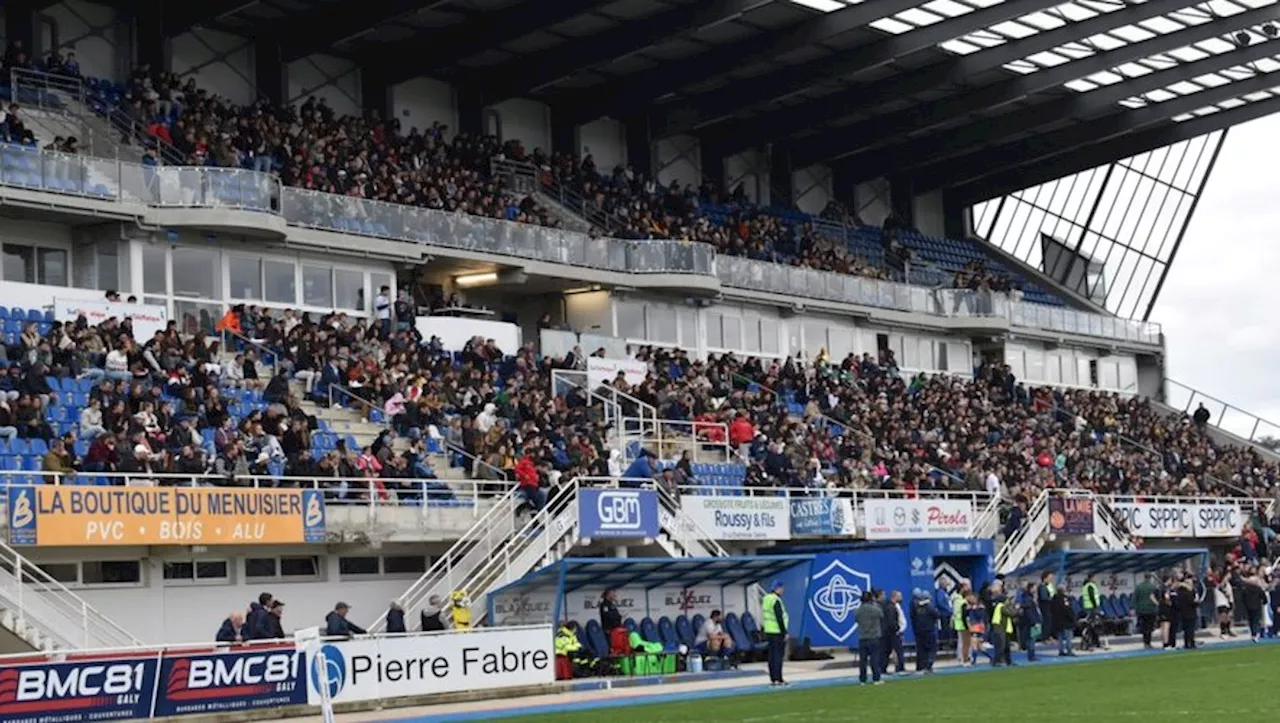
{"type": "Point", "coordinates": [36, 600]}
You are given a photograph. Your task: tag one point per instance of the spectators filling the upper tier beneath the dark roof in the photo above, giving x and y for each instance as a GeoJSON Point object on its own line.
{"type": "Point", "coordinates": [312, 147]}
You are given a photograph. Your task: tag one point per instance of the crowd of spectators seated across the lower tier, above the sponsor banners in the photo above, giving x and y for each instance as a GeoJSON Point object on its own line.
{"type": "Point", "coordinates": [100, 402]}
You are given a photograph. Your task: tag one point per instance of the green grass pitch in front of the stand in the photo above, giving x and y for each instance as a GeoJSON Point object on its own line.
{"type": "Point", "coordinates": [1208, 685]}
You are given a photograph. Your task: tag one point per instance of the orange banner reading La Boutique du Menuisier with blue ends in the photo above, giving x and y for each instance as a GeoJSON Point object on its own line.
{"type": "Point", "coordinates": [67, 515]}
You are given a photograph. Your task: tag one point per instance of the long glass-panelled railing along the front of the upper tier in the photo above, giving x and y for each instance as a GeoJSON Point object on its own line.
{"type": "Point", "coordinates": [245, 190]}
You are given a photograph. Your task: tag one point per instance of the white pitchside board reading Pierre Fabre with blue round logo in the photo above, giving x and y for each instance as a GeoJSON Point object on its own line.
{"type": "Point", "coordinates": [378, 669]}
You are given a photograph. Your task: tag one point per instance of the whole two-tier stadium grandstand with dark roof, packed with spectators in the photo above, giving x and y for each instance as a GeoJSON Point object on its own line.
{"type": "Point", "coordinates": [455, 304]}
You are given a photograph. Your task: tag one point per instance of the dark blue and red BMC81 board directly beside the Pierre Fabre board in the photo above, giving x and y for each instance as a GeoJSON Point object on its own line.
{"type": "Point", "coordinates": [232, 681]}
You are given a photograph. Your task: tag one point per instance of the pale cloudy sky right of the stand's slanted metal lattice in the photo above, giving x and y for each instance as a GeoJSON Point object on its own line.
{"type": "Point", "coordinates": [1218, 308]}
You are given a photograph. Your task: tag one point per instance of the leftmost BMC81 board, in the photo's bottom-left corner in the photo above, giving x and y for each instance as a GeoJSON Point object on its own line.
{"type": "Point", "coordinates": [79, 692]}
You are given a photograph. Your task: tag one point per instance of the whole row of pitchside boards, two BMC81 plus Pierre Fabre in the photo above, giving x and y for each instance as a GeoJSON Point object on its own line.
{"type": "Point", "coordinates": [203, 680]}
